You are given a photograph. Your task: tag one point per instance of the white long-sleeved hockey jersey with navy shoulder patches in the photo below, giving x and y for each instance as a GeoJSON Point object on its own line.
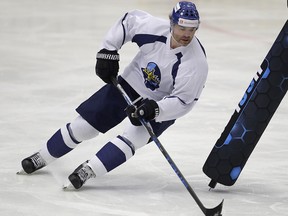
{"type": "Point", "coordinates": [172, 77]}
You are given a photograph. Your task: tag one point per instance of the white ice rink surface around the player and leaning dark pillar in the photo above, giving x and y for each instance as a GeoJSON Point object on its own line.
{"type": "Point", "coordinates": [47, 57]}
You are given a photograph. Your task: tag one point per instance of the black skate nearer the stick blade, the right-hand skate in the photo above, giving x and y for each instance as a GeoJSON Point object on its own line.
{"type": "Point", "coordinates": [80, 175]}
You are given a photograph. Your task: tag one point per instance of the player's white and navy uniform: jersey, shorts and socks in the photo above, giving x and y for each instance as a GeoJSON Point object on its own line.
{"type": "Point", "coordinates": [174, 78]}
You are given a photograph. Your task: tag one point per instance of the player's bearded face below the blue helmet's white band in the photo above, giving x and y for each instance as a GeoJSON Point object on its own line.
{"type": "Point", "coordinates": [182, 35]}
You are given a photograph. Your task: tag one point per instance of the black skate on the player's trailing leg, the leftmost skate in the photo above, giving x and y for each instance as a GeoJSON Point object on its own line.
{"type": "Point", "coordinates": [33, 163]}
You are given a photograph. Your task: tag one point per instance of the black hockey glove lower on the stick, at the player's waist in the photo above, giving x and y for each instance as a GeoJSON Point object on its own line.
{"type": "Point", "coordinates": [148, 110]}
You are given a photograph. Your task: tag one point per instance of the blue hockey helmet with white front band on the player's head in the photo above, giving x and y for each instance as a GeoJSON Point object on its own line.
{"type": "Point", "coordinates": [185, 14]}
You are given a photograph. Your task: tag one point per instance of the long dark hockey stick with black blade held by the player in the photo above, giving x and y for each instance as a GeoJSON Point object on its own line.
{"type": "Point", "coordinates": [208, 212]}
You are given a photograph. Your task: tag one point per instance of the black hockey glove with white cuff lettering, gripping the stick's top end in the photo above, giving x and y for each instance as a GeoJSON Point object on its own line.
{"type": "Point", "coordinates": [107, 64]}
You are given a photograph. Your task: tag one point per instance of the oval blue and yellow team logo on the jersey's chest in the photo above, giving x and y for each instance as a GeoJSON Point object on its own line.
{"type": "Point", "coordinates": [152, 76]}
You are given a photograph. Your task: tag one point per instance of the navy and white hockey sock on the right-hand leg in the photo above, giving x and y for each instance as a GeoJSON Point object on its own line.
{"type": "Point", "coordinates": [112, 155]}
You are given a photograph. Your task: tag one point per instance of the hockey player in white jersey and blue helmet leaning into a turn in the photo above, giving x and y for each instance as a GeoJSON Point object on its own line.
{"type": "Point", "coordinates": [164, 81]}
